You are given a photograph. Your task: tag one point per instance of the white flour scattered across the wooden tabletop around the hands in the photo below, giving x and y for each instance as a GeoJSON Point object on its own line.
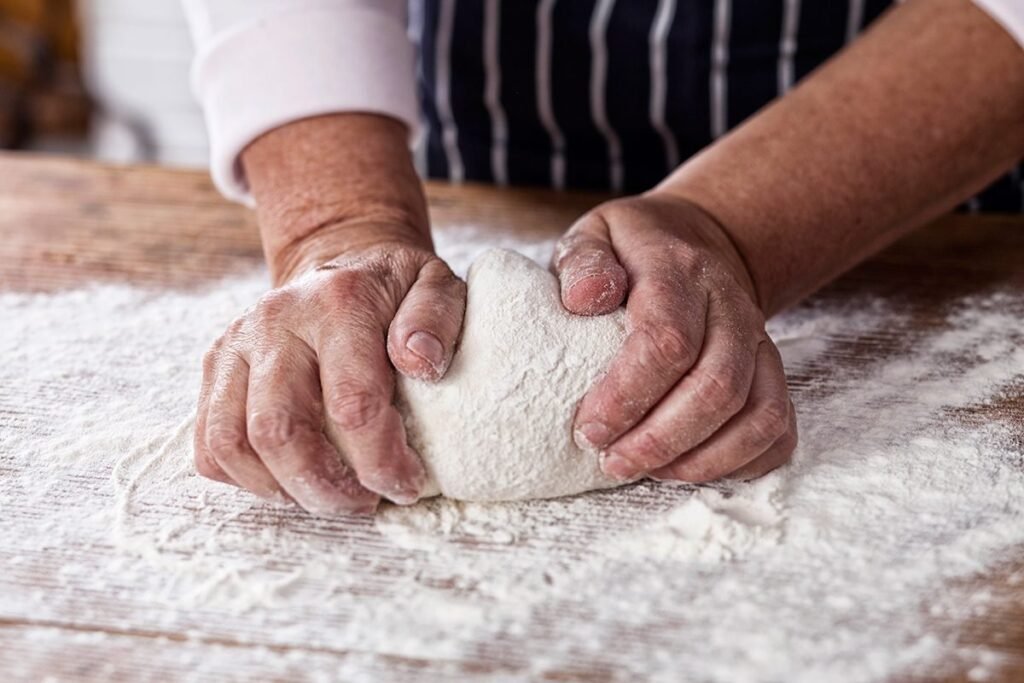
{"type": "Point", "coordinates": [837, 568]}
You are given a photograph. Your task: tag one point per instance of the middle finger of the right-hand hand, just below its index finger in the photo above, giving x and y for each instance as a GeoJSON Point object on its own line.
{"type": "Point", "coordinates": [713, 393]}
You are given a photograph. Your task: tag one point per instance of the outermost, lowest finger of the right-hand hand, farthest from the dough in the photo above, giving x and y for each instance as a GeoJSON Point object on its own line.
{"type": "Point", "coordinates": [749, 437]}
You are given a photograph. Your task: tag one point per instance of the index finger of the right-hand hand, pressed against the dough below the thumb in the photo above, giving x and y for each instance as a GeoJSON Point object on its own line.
{"type": "Point", "coordinates": [667, 322]}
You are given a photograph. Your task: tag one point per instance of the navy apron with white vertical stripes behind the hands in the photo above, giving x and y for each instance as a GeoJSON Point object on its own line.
{"type": "Point", "coordinates": [608, 95]}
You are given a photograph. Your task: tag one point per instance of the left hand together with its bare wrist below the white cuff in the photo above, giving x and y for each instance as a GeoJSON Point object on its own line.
{"type": "Point", "coordinates": [297, 398]}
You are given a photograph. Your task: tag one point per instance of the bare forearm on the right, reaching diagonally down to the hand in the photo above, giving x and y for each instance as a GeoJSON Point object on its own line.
{"type": "Point", "coordinates": [924, 111]}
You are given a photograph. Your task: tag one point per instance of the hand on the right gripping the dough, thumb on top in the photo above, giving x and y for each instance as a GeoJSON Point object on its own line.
{"type": "Point", "coordinates": [698, 391]}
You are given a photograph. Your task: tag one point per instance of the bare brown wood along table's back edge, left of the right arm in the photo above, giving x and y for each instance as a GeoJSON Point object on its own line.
{"type": "Point", "coordinates": [64, 224]}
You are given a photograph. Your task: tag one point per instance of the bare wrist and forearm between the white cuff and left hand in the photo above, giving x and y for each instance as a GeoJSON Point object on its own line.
{"type": "Point", "coordinates": [332, 184]}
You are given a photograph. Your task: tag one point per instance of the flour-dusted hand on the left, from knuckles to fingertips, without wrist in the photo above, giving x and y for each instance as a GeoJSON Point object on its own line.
{"type": "Point", "coordinates": [311, 359]}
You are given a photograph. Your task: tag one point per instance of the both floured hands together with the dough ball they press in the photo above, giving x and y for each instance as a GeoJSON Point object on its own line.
{"type": "Point", "coordinates": [330, 357]}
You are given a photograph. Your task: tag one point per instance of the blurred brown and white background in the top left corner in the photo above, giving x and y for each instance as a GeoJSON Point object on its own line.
{"type": "Point", "coordinates": [107, 79]}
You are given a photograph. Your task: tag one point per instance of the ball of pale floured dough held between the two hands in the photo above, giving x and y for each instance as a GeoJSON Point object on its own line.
{"type": "Point", "coordinates": [499, 425]}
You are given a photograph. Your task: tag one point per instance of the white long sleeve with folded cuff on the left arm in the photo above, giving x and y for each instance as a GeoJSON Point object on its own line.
{"type": "Point", "coordinates": [262, 64]}
